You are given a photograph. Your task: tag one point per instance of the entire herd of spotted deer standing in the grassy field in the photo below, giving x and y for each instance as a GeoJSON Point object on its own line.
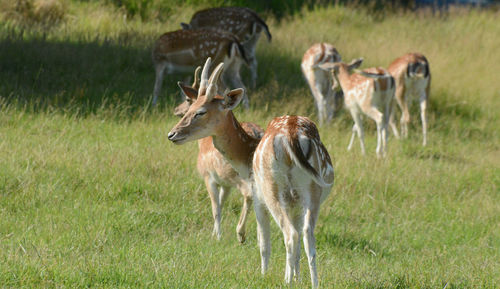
{"type": "Point", "coordinates": [285, 169]}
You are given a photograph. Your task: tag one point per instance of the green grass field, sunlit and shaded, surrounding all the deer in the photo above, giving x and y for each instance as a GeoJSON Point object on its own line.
{"type": "Point", "coordinates": [92, 194]}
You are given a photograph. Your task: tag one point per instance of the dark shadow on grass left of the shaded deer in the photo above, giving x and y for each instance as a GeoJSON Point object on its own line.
{"type": "Point", "coordinates": [87, 74]}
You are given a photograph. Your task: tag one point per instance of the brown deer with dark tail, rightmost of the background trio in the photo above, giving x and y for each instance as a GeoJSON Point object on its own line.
{"type": "Point", "coordinates": [413, 80]}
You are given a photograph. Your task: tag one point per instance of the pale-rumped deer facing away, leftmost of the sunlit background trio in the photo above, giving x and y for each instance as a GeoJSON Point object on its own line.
{"type": "Point", "coordinates": [325, 89]}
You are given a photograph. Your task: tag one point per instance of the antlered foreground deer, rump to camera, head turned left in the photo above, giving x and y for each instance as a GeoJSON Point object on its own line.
{"type": "Point", "coordinates": [293, 171]}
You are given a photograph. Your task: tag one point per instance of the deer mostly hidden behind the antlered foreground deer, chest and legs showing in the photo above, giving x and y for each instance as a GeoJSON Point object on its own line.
{"type": "Point", "coordinates": [218, 174]}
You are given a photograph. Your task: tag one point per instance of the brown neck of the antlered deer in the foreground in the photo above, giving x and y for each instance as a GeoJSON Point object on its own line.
{"type": "Point", "coordinates": [231, 140]}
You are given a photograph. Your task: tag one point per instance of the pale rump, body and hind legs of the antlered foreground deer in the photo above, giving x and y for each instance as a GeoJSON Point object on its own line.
{"type": "Point", "coordinates": [293, 175]}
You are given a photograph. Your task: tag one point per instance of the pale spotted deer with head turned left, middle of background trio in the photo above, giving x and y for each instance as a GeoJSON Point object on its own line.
{"type": "Point", "coordinates": [371, 92]}
